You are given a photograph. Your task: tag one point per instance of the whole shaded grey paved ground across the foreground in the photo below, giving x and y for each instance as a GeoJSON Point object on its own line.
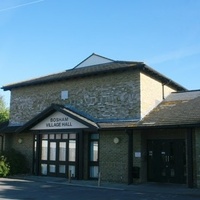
{"type": "Point", "coordinates": [35, 187]}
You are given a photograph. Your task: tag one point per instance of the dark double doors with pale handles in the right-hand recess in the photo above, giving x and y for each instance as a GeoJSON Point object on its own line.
{"type": "Point", "coordinates": [166, 160]}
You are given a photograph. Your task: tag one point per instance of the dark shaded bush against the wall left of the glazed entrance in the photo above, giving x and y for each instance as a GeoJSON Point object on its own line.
{"type": "Point", "coordinates": [17, 162]}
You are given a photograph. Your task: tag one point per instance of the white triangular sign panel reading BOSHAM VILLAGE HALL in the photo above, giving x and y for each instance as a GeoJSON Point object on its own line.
{"type": "Point", "coordinates": [58, 120]}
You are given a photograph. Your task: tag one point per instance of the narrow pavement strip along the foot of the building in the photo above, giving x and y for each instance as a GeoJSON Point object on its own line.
{"type": "Point", "coordinates": [178, 189]}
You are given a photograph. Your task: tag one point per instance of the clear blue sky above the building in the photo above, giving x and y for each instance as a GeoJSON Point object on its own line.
{"type": "Point", "coordinates": [41, 37]}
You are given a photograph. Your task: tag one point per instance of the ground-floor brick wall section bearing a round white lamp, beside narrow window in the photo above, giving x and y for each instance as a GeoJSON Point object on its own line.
{"type": "Point", "coordinates": [113, 158]}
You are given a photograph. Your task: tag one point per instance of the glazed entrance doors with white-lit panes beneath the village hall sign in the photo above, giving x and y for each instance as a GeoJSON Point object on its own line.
{"type": "Point", "coordinates": [58, 154]}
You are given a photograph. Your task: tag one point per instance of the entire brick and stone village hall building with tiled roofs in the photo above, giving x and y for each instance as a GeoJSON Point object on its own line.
{"type": "Point", "coordinates": [120, 119]}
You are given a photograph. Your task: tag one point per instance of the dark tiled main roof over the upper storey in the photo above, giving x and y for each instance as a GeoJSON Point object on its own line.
{"type": "Point", "coordinates": [108, 67]}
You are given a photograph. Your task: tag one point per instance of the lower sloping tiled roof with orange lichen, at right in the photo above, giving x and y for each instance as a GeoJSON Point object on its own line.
{"type": "Point", "coordinates": [178, 109]}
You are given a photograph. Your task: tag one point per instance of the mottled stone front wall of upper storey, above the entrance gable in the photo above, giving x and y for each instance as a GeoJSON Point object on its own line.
{"type": "Point", "coordinates": [105, 96]}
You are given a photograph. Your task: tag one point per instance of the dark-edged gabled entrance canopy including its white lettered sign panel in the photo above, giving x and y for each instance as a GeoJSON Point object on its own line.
{"type": "Point", "coordinates": [57, 117]}
